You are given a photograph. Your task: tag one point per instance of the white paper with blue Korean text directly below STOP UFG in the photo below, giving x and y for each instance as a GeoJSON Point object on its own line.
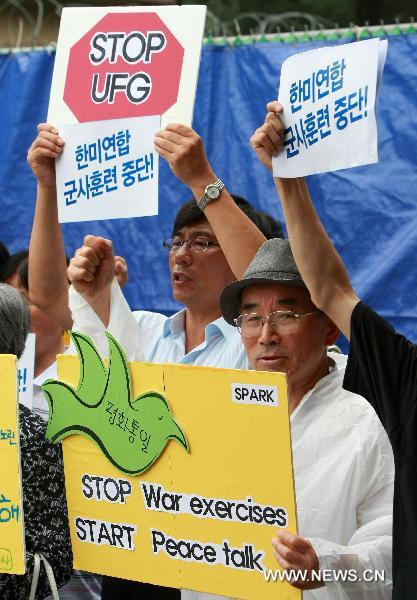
{"type": "Point", "coordinates": [108, 170]}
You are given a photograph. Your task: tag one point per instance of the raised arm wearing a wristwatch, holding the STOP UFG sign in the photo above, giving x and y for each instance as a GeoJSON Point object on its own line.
{"type": "Point", "coordinates": [238, 237]}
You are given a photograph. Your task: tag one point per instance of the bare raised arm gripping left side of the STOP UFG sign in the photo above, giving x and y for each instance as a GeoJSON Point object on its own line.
{"type": "Point", "coordinates": [48, 283]}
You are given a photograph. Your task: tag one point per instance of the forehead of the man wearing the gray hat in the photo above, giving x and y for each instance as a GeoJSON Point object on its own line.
{"type": "Point", "coordinates": [274, 295]}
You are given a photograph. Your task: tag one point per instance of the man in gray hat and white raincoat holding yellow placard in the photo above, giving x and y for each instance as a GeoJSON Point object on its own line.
{"type": "Point", "coordinates": [343, 464]}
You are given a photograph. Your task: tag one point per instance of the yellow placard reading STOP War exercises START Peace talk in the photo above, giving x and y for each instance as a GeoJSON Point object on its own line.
{"type": "Point", "coordinates": [203, 514]}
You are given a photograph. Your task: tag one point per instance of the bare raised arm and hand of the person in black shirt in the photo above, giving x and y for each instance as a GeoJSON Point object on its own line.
{"type": "Point", "coordinates": [317, 259]}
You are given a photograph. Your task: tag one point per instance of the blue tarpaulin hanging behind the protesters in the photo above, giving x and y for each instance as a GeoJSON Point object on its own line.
{"type": "Point", "coordinates": [369, 212]}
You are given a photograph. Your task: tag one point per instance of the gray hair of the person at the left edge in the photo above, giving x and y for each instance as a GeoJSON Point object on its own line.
{"type": "Point", "coordinates": [14, 321]}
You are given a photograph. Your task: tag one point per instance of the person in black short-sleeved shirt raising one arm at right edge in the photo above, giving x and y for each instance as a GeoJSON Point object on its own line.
{"type": "Point", "coordinates": [381, 364]}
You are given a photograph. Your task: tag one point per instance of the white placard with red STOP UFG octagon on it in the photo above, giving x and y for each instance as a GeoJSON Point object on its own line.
{"type": "Point", "coordinates": [117, 62]}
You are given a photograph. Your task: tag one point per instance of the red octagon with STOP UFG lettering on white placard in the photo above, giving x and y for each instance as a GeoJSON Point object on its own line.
{"type": "Point", "coordinates": [127, 65]}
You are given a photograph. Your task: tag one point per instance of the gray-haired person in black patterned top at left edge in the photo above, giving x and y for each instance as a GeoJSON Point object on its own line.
{"type": "Point", "coordinates": [44, 502]}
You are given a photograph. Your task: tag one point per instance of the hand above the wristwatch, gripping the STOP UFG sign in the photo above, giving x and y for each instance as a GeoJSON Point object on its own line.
{"type": "Point", "coordinates": [184, 151]}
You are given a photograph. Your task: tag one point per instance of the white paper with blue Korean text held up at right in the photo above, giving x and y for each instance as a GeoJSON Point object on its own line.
{"type": "Point", "coordinates": [328, 97]}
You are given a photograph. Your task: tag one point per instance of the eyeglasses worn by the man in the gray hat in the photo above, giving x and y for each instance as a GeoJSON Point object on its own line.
{"type": "Point", "coordinates": [285, 321]}
